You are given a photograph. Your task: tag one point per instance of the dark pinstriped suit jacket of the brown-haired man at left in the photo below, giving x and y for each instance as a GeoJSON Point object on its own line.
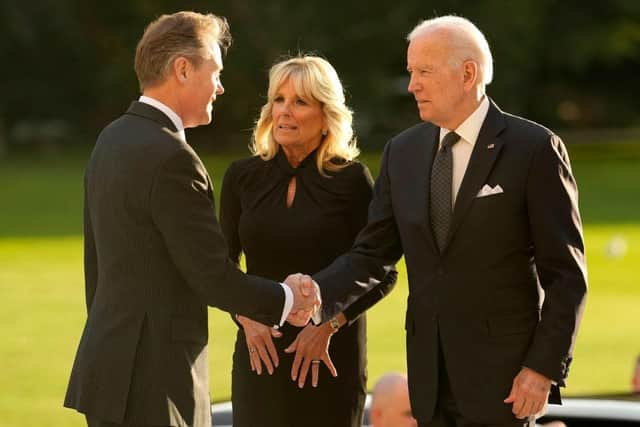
{"type": "Point", "coordinates": [154, 259]}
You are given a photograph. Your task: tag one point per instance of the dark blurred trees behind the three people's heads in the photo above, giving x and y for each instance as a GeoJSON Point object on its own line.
{"type": "Point", "coordinates": [67, 64]}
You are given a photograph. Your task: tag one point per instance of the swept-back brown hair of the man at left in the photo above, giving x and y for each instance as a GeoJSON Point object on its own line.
{"type": "Point", "coordinates": [186, 34]}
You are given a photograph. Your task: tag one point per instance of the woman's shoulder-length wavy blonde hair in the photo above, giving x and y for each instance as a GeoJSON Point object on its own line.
{"type": "Point", "coordinates": [313, 78]}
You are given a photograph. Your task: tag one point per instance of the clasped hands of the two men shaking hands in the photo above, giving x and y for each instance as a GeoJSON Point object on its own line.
{"type": "Point", "coordinates": [306, 298]}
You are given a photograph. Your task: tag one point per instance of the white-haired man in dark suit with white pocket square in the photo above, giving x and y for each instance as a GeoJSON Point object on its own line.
{"type": "Point", "coordinates": [484, 207]}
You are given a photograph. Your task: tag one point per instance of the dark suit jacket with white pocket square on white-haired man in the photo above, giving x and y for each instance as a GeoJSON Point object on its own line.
{"type": "Point", "coordinates": [478, 299]}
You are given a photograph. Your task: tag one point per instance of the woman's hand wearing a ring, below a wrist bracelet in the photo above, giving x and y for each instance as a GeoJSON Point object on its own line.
{"type": "Point", "coordinates": [311, 344]}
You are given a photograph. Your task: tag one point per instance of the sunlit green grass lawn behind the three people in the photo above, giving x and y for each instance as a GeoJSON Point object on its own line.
{"type": "Point", "coordinates": [42, 294]}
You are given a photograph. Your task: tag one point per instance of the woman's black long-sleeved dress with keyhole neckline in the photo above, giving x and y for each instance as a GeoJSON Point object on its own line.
{"type": "Point", "coordinates": [322, 222]}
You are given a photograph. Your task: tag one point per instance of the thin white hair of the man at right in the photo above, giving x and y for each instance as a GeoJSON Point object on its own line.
{"type": "Point", "coordinates": [466, 40]}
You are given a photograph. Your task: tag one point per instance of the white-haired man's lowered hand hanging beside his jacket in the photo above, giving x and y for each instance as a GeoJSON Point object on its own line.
{"type": "Point", "coordinates": [529, 393]}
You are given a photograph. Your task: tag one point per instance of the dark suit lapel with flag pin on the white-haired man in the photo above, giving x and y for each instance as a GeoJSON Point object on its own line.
{"type": "Point", "coordinates": [484, 154]}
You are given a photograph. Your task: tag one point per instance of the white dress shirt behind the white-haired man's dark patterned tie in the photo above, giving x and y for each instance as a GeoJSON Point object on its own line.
{"type": "Point", "coordinates": [461, 151]}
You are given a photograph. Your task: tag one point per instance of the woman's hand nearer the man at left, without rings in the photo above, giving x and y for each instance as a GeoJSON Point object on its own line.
{"type": "Point", "coordinates": [260, 344]}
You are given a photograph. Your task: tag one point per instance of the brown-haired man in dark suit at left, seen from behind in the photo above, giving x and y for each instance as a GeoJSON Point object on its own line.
{"type": "Point", "coordinates": [155, 256]}
